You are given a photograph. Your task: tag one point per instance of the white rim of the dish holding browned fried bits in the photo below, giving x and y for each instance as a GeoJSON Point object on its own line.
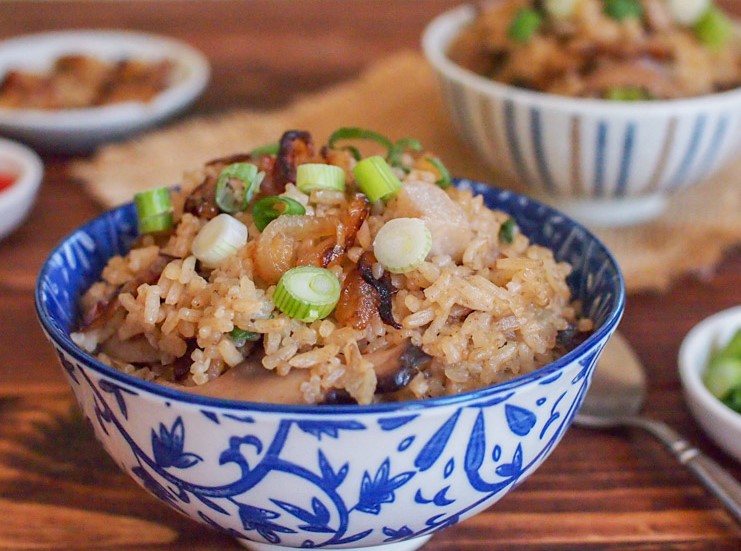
{"type": "Point", "coordinates": [189, 60]}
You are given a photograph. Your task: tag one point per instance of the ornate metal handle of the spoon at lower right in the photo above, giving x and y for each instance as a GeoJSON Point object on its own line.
{"type": "Point", "coordinates": [715, 478]}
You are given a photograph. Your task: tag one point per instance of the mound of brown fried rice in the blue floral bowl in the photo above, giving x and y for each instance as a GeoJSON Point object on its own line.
{"type": "Point", "coordinates": [481, 305]}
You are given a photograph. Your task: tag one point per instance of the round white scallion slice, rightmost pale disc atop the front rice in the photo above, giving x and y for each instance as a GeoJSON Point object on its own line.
{"type": "Point", "coordinates": [402, 244]}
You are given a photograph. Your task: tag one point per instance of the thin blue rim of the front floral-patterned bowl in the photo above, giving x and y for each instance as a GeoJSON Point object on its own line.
{"type": "Point", "coordinates": [64, 342]}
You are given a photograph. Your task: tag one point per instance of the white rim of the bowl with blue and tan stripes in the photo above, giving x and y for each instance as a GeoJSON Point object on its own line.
{"type": "Point", "coordinates": [439, 32]}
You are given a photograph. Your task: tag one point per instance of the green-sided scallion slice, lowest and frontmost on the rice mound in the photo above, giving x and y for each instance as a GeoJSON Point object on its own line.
{"type": "Point", "coordinates": [307, 293]}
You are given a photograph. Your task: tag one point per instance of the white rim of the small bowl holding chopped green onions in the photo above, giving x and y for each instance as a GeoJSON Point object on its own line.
{"type": "Point", "coordinates": [698, 342]}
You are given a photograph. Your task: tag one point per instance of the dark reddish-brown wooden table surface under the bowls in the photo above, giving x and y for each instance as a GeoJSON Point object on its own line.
{"type": "Point", "coordinates": [58, 490]}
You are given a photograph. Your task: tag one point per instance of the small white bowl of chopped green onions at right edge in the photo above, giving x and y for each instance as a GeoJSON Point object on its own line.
{"type": "Point", "coordinates": [719, 421]}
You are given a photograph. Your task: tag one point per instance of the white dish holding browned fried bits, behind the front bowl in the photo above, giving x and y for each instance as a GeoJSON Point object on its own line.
{"type": "Point", "coordinates": [80, 130]}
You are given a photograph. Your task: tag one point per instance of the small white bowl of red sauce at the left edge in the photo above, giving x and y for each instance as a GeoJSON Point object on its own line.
{"type": "Point", "coordinates": [16, 200]}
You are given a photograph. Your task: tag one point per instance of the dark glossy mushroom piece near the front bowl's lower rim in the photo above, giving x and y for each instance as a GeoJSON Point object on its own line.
{"type": "Point", "coordinates": [397, 366]}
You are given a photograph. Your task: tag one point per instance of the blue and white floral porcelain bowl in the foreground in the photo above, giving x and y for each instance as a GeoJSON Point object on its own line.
{"type": "Point", "coordinates": [382, 476]}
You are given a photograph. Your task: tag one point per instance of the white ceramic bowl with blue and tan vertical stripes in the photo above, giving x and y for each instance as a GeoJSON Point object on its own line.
{"type": "Point", "coordinates": [603, 162]}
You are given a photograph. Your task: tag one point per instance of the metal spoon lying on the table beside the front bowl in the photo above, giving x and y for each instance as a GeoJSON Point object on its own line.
{"type": "Point", "coordinates": [615, 398]}
